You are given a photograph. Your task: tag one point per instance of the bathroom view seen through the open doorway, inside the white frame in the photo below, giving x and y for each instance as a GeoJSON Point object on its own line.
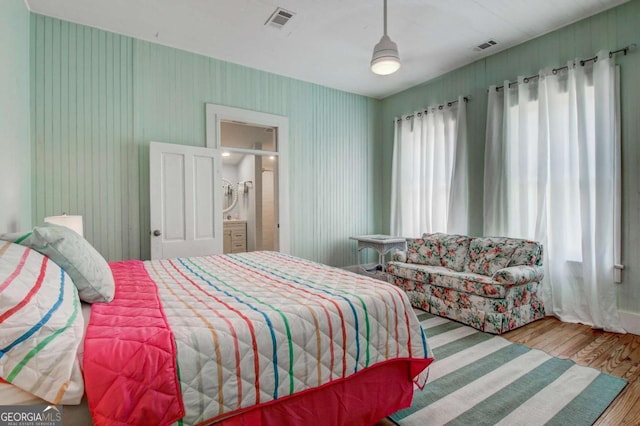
{"type": "Point", "coordinates": [250, 182]}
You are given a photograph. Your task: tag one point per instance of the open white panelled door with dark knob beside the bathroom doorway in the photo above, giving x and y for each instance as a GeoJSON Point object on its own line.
{"type": "Point", "coordinates": [186, 217]}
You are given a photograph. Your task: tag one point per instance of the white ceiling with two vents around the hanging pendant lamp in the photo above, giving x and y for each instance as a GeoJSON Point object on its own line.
{"type": "Point", "coordinates": [330, 42]}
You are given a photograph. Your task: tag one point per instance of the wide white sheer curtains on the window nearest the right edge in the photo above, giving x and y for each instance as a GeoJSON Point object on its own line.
{"type": "Point", "coordinates": [552, 166]}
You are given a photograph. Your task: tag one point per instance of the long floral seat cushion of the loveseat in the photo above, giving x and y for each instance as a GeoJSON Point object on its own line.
{"type": "Point", "coordinates": [443, 277]}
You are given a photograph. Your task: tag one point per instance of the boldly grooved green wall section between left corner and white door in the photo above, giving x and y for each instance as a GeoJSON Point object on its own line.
{"type": "Point", "coordinates": [82, 128]}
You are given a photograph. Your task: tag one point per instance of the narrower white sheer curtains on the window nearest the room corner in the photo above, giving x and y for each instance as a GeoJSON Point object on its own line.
{"type": "Point", "coordinates": [429, 187]}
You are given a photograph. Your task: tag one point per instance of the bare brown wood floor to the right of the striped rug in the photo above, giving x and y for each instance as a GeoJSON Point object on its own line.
{"type": "Point", "coordinates": [615, 354]}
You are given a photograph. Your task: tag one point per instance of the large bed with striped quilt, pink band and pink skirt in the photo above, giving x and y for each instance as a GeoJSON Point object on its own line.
{"type": "Point", "coordinates": [252, 338]}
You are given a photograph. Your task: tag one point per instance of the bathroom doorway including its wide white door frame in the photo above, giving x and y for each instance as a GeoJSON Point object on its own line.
{"type": "Point", "coordinates": [255, 161]}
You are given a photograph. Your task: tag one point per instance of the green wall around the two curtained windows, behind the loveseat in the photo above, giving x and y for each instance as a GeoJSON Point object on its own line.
{"type": "Point", "coordinates": [609, 30]}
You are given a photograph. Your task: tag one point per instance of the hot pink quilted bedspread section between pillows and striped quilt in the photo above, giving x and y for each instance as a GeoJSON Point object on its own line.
{"type": "Point", "coordinates": [129, 385]}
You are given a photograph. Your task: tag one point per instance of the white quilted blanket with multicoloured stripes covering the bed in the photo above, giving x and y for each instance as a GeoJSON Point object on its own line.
{"type": "Point", "coordinates": [257, 327]}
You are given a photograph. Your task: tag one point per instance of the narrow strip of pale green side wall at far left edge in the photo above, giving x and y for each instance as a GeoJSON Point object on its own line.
{"type": "Point", "coordinates": [15, 144]}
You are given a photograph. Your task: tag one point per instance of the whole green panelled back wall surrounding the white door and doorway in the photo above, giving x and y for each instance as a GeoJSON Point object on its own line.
{"type": "Point", "coordinates": [99, 98]}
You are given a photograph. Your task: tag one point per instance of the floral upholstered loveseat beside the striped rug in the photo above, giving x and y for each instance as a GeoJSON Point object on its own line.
{"type": "Point", "coordinates": [490, 283]}
